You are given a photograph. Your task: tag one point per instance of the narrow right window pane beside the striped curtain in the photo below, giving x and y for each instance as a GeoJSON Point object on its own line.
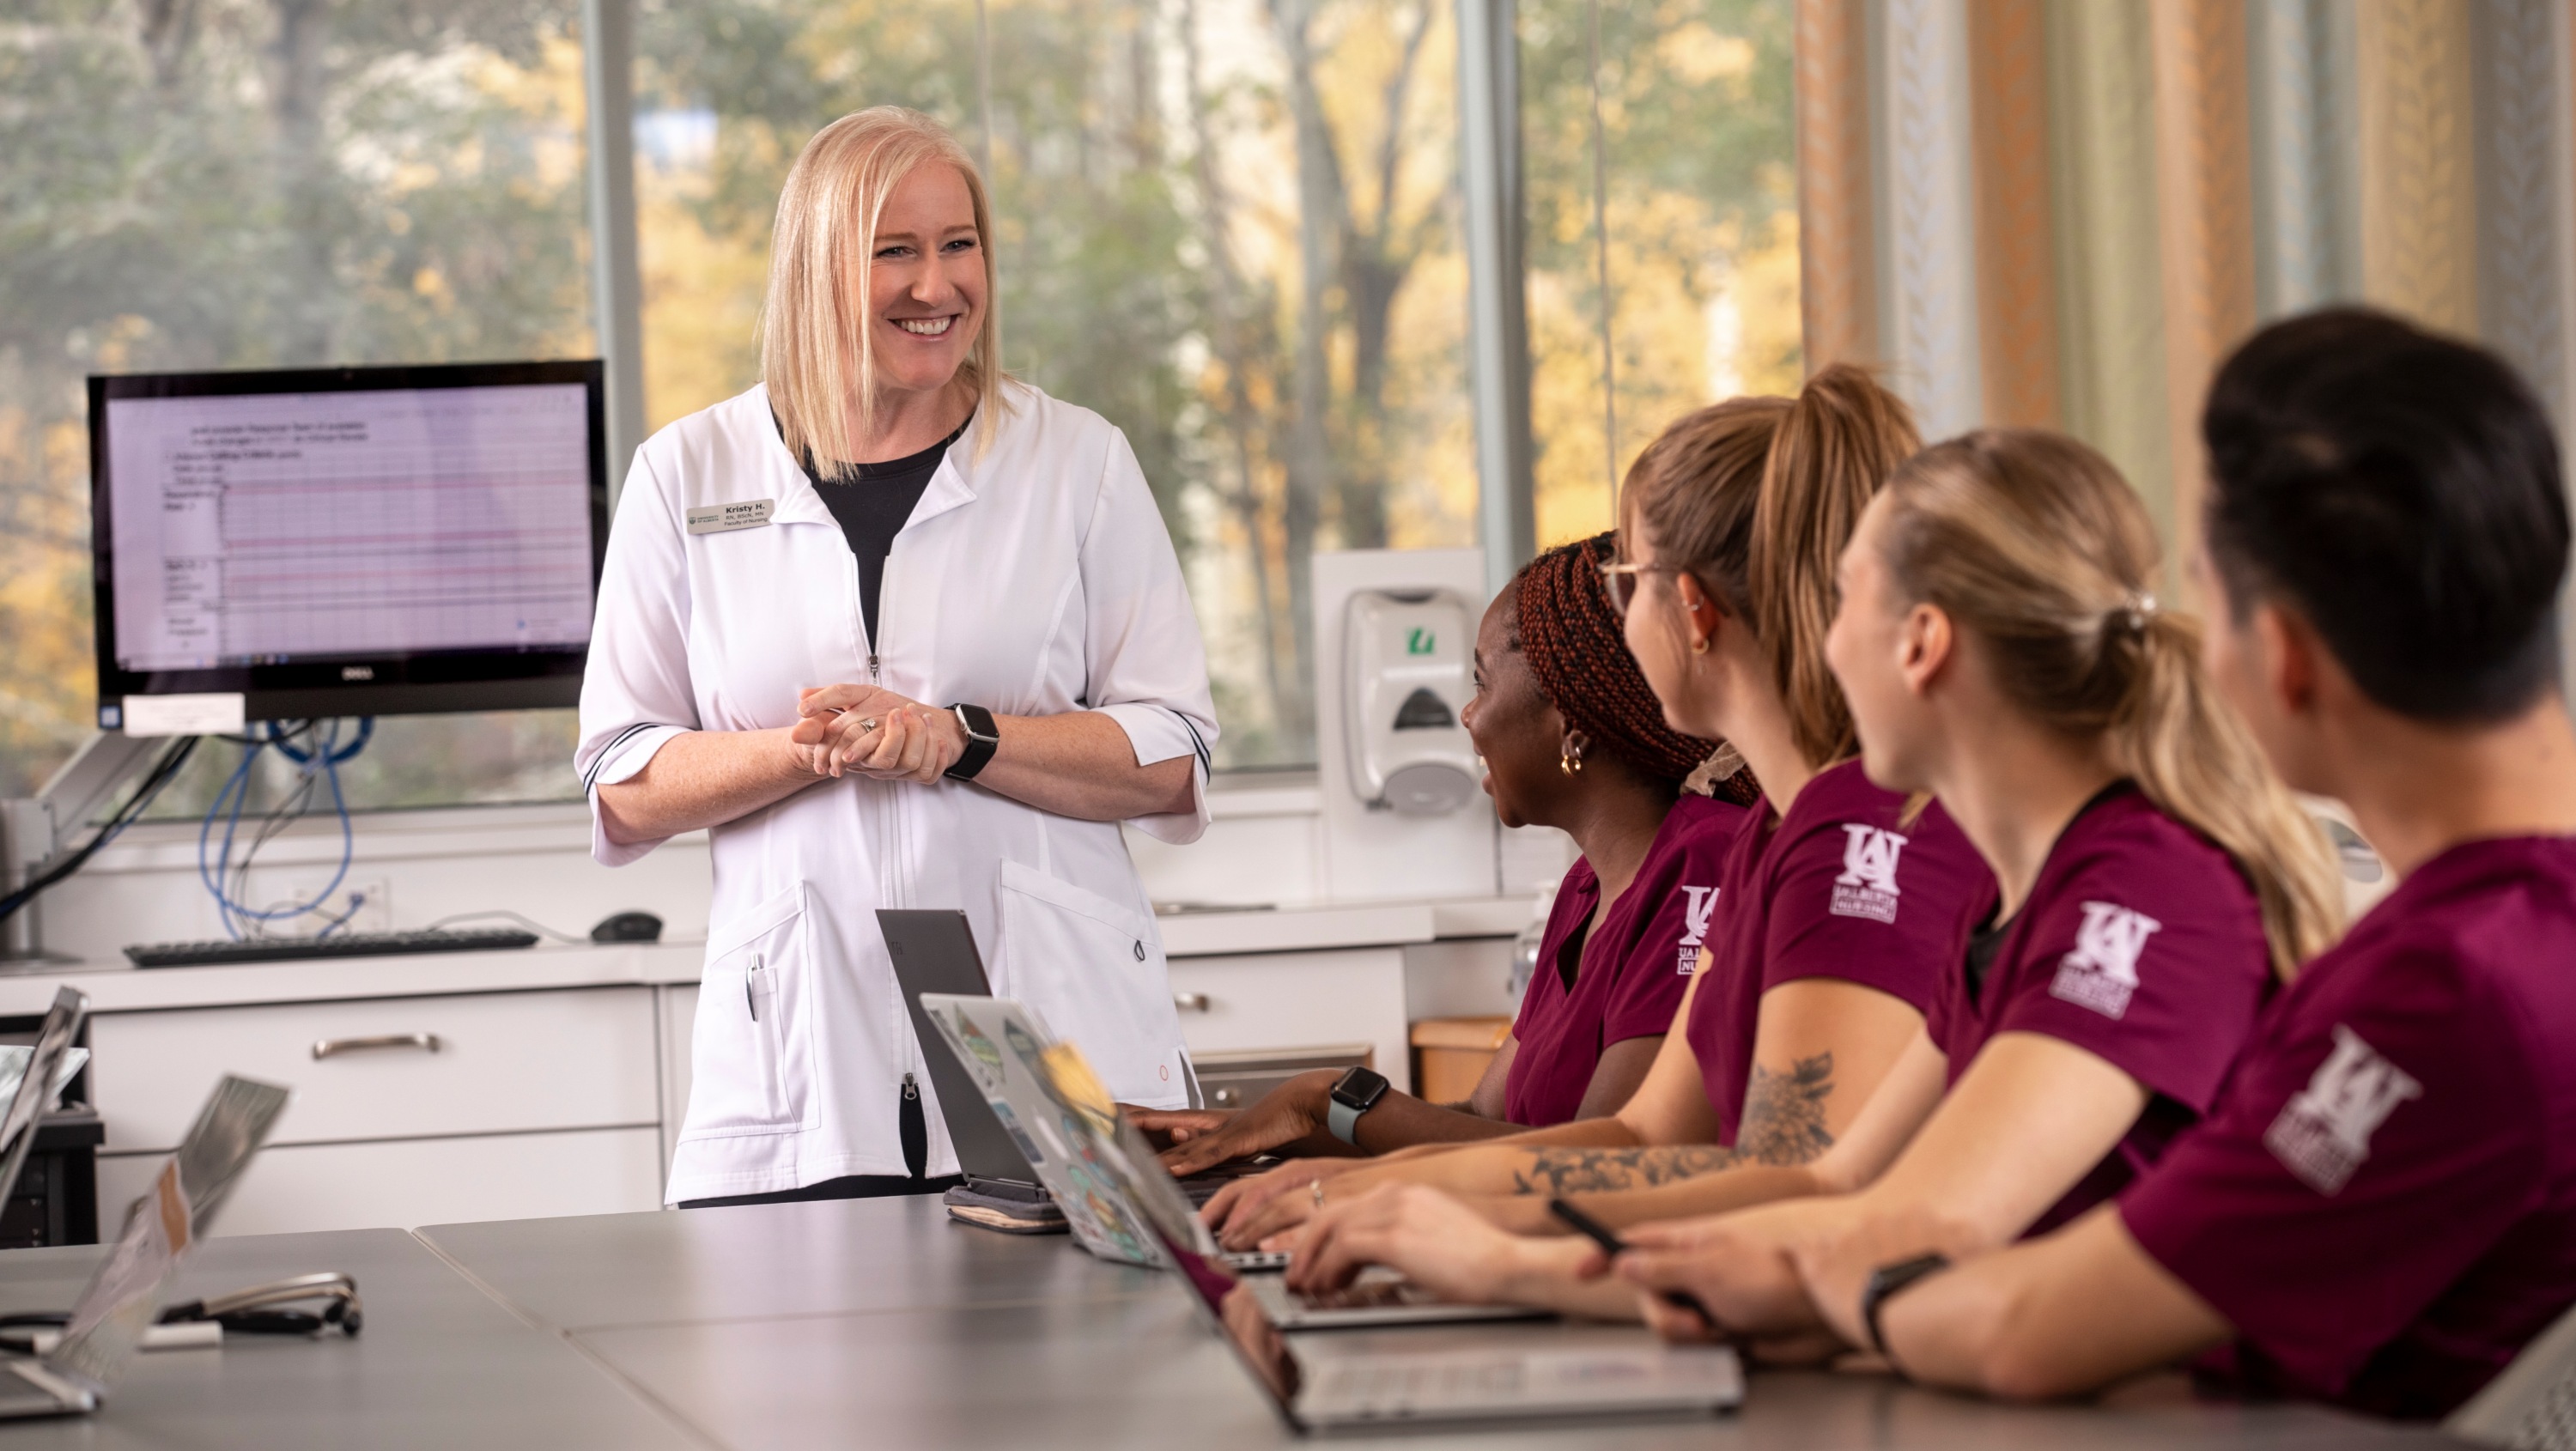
{"type": "Point", "coordinates": [1663, 228]}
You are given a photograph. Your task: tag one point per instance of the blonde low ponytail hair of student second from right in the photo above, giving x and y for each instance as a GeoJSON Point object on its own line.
{"type": "Point", "coordinates": [2041, 550]}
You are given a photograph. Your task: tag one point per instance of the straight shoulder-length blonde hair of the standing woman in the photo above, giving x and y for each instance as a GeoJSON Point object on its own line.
{"type": "Point", "coordinates": [818, 303]}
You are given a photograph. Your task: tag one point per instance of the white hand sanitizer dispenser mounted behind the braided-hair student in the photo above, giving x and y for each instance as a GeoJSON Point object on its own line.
{"type": "Point", "coordinates": [1408, 661]}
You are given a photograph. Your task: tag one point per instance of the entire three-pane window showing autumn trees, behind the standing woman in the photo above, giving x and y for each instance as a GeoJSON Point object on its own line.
{"type": "Point", "coordinates": [1227, 226]}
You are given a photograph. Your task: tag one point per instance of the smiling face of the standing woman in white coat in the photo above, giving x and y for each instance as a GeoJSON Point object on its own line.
{"type": "Point", "coordinates": [926, 282]}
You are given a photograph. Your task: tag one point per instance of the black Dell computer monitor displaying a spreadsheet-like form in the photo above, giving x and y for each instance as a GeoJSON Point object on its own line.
{"type": "Point", "coordinates": [349, 543]}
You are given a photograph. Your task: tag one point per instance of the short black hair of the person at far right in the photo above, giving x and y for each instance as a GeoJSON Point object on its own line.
{"type": "Point", "coordinates": [2402, 494]}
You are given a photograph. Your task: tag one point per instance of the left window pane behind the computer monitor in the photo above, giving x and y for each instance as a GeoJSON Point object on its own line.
{"type": "Point", "coordinates": [259, 184]}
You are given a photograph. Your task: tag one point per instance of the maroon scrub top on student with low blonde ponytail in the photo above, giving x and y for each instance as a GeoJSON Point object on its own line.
{"type": "Point", "coordinates": [2139, 945]}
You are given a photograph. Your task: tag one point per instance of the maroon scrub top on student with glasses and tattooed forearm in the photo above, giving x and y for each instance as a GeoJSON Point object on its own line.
{"type": "Point", "coordinates": [1838, 888]}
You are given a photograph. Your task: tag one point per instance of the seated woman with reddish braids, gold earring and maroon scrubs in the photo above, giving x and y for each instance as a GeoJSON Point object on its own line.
{"type": "Point", "coordinates": [1570, 738]}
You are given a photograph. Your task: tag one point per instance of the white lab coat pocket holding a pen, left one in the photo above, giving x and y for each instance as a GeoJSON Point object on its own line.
{"type": "Point", "coordinates": [751, 1063]}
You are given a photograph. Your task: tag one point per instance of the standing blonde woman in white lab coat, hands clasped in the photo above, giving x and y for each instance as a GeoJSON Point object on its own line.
{"type": "Point", "coordinates": [808, 666]}
